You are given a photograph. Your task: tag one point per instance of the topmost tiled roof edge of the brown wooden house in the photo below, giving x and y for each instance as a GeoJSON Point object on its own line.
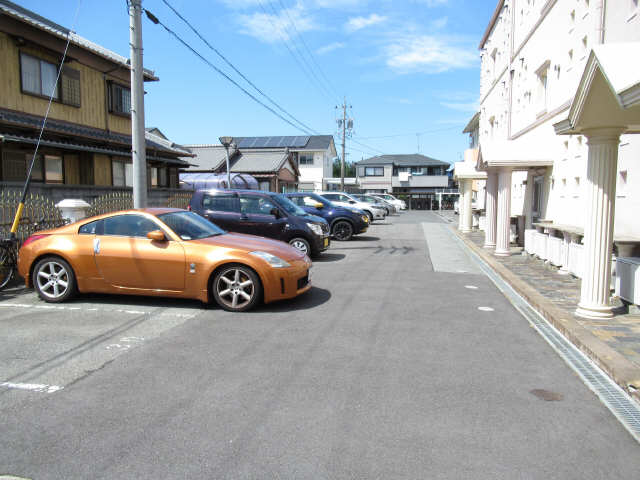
{"type": "Point", "coordinates": [41, 23]}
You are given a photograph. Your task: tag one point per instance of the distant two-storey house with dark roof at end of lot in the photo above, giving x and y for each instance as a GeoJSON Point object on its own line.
{"type": "Point", "coordinates": [415, 176]}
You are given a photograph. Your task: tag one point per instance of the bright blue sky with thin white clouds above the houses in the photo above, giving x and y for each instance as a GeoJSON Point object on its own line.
{"type": "Point", "coordinates": [404, 67]}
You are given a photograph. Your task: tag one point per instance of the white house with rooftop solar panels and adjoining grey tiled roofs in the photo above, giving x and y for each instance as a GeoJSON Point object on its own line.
{"type": "Point", "coordinates": [278, 163]}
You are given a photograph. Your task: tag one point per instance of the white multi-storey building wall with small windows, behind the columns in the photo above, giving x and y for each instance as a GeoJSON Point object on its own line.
{"type": "Point", "coordinates": [551, 44]}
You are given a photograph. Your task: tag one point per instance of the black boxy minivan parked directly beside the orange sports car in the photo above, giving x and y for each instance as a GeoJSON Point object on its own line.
{"type": "Point", "coordinates": [266, 214]}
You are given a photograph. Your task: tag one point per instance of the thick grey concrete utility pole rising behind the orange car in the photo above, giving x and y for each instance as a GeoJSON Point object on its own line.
{"type": "Point", "coordinates": [138, 144]}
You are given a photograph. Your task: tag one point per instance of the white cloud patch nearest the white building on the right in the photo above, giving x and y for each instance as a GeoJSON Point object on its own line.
{"type": "Point", "coordinates": [428, 54]}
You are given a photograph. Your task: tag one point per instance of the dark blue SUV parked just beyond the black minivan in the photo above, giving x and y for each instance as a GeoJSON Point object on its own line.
{"type": "Point", "coordinates": [344, 222]}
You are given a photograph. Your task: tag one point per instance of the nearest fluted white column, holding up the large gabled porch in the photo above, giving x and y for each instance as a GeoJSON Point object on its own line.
{"type": "Point", "coordinates": [600, 200]}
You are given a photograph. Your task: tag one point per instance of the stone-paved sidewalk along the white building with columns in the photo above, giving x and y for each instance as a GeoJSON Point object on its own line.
{"type": "Point", "coordinates": [614, 344]}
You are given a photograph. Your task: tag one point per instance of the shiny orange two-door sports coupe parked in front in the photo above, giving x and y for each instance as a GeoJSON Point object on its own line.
{"type": "Point", "coordinates": [163, 252]}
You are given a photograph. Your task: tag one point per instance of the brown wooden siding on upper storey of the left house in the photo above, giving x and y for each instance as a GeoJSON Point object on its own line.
{"type": "Point", "coordinates": [92, 87]}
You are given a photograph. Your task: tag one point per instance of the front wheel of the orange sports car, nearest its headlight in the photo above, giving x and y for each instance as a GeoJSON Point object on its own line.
{"type": "Point", "coordinates": [236, 288]}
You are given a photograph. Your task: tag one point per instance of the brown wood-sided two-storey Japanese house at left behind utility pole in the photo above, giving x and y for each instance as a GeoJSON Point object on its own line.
{"type": "Point", "coordinates": [85, 149]}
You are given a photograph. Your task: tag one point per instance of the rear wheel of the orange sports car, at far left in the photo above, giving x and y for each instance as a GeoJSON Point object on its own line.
{"type": "Point", "coordinates": [54, 280]}
